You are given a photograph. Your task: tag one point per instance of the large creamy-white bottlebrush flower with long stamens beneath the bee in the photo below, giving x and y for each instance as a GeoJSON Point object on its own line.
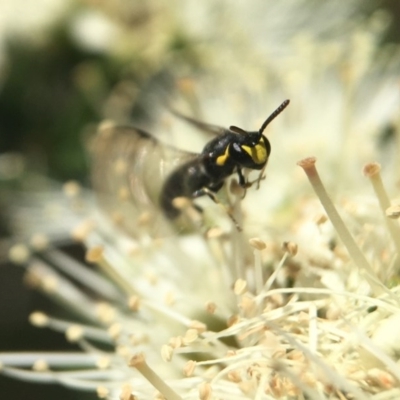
{"type": "Point", "coordinates": [294, 307]}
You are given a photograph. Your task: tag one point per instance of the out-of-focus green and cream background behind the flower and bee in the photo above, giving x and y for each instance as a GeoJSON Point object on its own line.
{"type": "Point", "coordinates": [65, 65]}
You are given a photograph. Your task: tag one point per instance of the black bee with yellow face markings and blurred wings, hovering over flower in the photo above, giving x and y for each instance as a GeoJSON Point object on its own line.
{"type": "Point", "coordinates": [134, 172]}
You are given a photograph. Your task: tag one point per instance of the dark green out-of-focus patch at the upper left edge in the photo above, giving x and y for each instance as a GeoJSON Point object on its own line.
{"type": "Point", "coordinates": [42, 112]}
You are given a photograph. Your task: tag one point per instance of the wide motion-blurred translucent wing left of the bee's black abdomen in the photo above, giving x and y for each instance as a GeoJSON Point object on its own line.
{"type": "Point", "coordinates": [129, 167]}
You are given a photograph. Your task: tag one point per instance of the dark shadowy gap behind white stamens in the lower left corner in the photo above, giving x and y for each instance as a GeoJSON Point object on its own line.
{"type": "Point", "coordinates": [17, 334]}
